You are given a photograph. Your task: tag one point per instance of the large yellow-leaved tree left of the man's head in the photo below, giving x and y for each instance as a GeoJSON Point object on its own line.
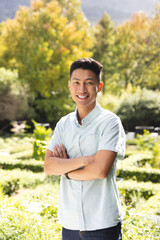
{"type": "Point", "coordinates": [41, 42]}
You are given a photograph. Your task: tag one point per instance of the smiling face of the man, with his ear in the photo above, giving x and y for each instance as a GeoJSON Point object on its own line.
{"type": "Point", "coordinates": [84, 87]}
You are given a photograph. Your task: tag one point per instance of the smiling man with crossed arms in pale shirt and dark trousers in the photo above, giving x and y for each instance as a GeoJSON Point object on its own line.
{"type": "Point", "coordinates": [84, 150]}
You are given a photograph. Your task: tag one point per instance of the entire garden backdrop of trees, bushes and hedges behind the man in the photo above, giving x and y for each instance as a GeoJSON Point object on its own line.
{"type": "Point", "coordinates": [37, 47]}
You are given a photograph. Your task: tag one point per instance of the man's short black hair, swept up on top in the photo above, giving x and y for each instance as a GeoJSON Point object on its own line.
{"type": "Point", "coordinates": [88, 64]}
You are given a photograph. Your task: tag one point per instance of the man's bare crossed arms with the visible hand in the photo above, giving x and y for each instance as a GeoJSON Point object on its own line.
{"type": "Point", "coordinates": [96, 166]}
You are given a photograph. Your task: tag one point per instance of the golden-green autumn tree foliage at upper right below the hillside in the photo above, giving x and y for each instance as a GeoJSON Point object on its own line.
{"type": "Point", "coordinates": [133, 53]}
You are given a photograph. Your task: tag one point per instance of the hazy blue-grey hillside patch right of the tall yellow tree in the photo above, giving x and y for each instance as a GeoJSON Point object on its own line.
{"type": "Point", "coordinates": [119, 11]}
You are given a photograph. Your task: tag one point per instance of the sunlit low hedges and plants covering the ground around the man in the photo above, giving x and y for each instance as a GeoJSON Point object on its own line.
{"type": "Point", "coordinates": [28, 206]}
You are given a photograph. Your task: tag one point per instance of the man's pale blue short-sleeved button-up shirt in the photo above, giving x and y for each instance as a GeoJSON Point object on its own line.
{"type": "Point", "coordinates": [94, 204]}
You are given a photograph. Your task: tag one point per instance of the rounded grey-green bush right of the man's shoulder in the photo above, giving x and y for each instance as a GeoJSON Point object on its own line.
{"type": "Point", "coordinates": [141, 108]}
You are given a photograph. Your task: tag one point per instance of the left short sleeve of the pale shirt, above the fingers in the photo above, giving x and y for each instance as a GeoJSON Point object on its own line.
{"type": "Point", "coordinates": [57, 137]}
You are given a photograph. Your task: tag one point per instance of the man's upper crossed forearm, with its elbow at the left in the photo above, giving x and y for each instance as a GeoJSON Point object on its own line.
{"type": "Point", "coordinates": [60, 166]}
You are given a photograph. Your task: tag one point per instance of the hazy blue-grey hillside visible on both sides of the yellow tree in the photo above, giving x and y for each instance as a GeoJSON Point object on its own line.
{"type": "Point", "coordinates": [93, 9]}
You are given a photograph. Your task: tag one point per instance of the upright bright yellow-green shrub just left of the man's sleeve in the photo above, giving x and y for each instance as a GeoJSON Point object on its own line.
{"type": "Point", "coordinates": [40, 144]}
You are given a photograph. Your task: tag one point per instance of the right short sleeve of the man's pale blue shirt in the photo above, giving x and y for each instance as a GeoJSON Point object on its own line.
{"type": "Point", "coordinates": [113, 138]}
